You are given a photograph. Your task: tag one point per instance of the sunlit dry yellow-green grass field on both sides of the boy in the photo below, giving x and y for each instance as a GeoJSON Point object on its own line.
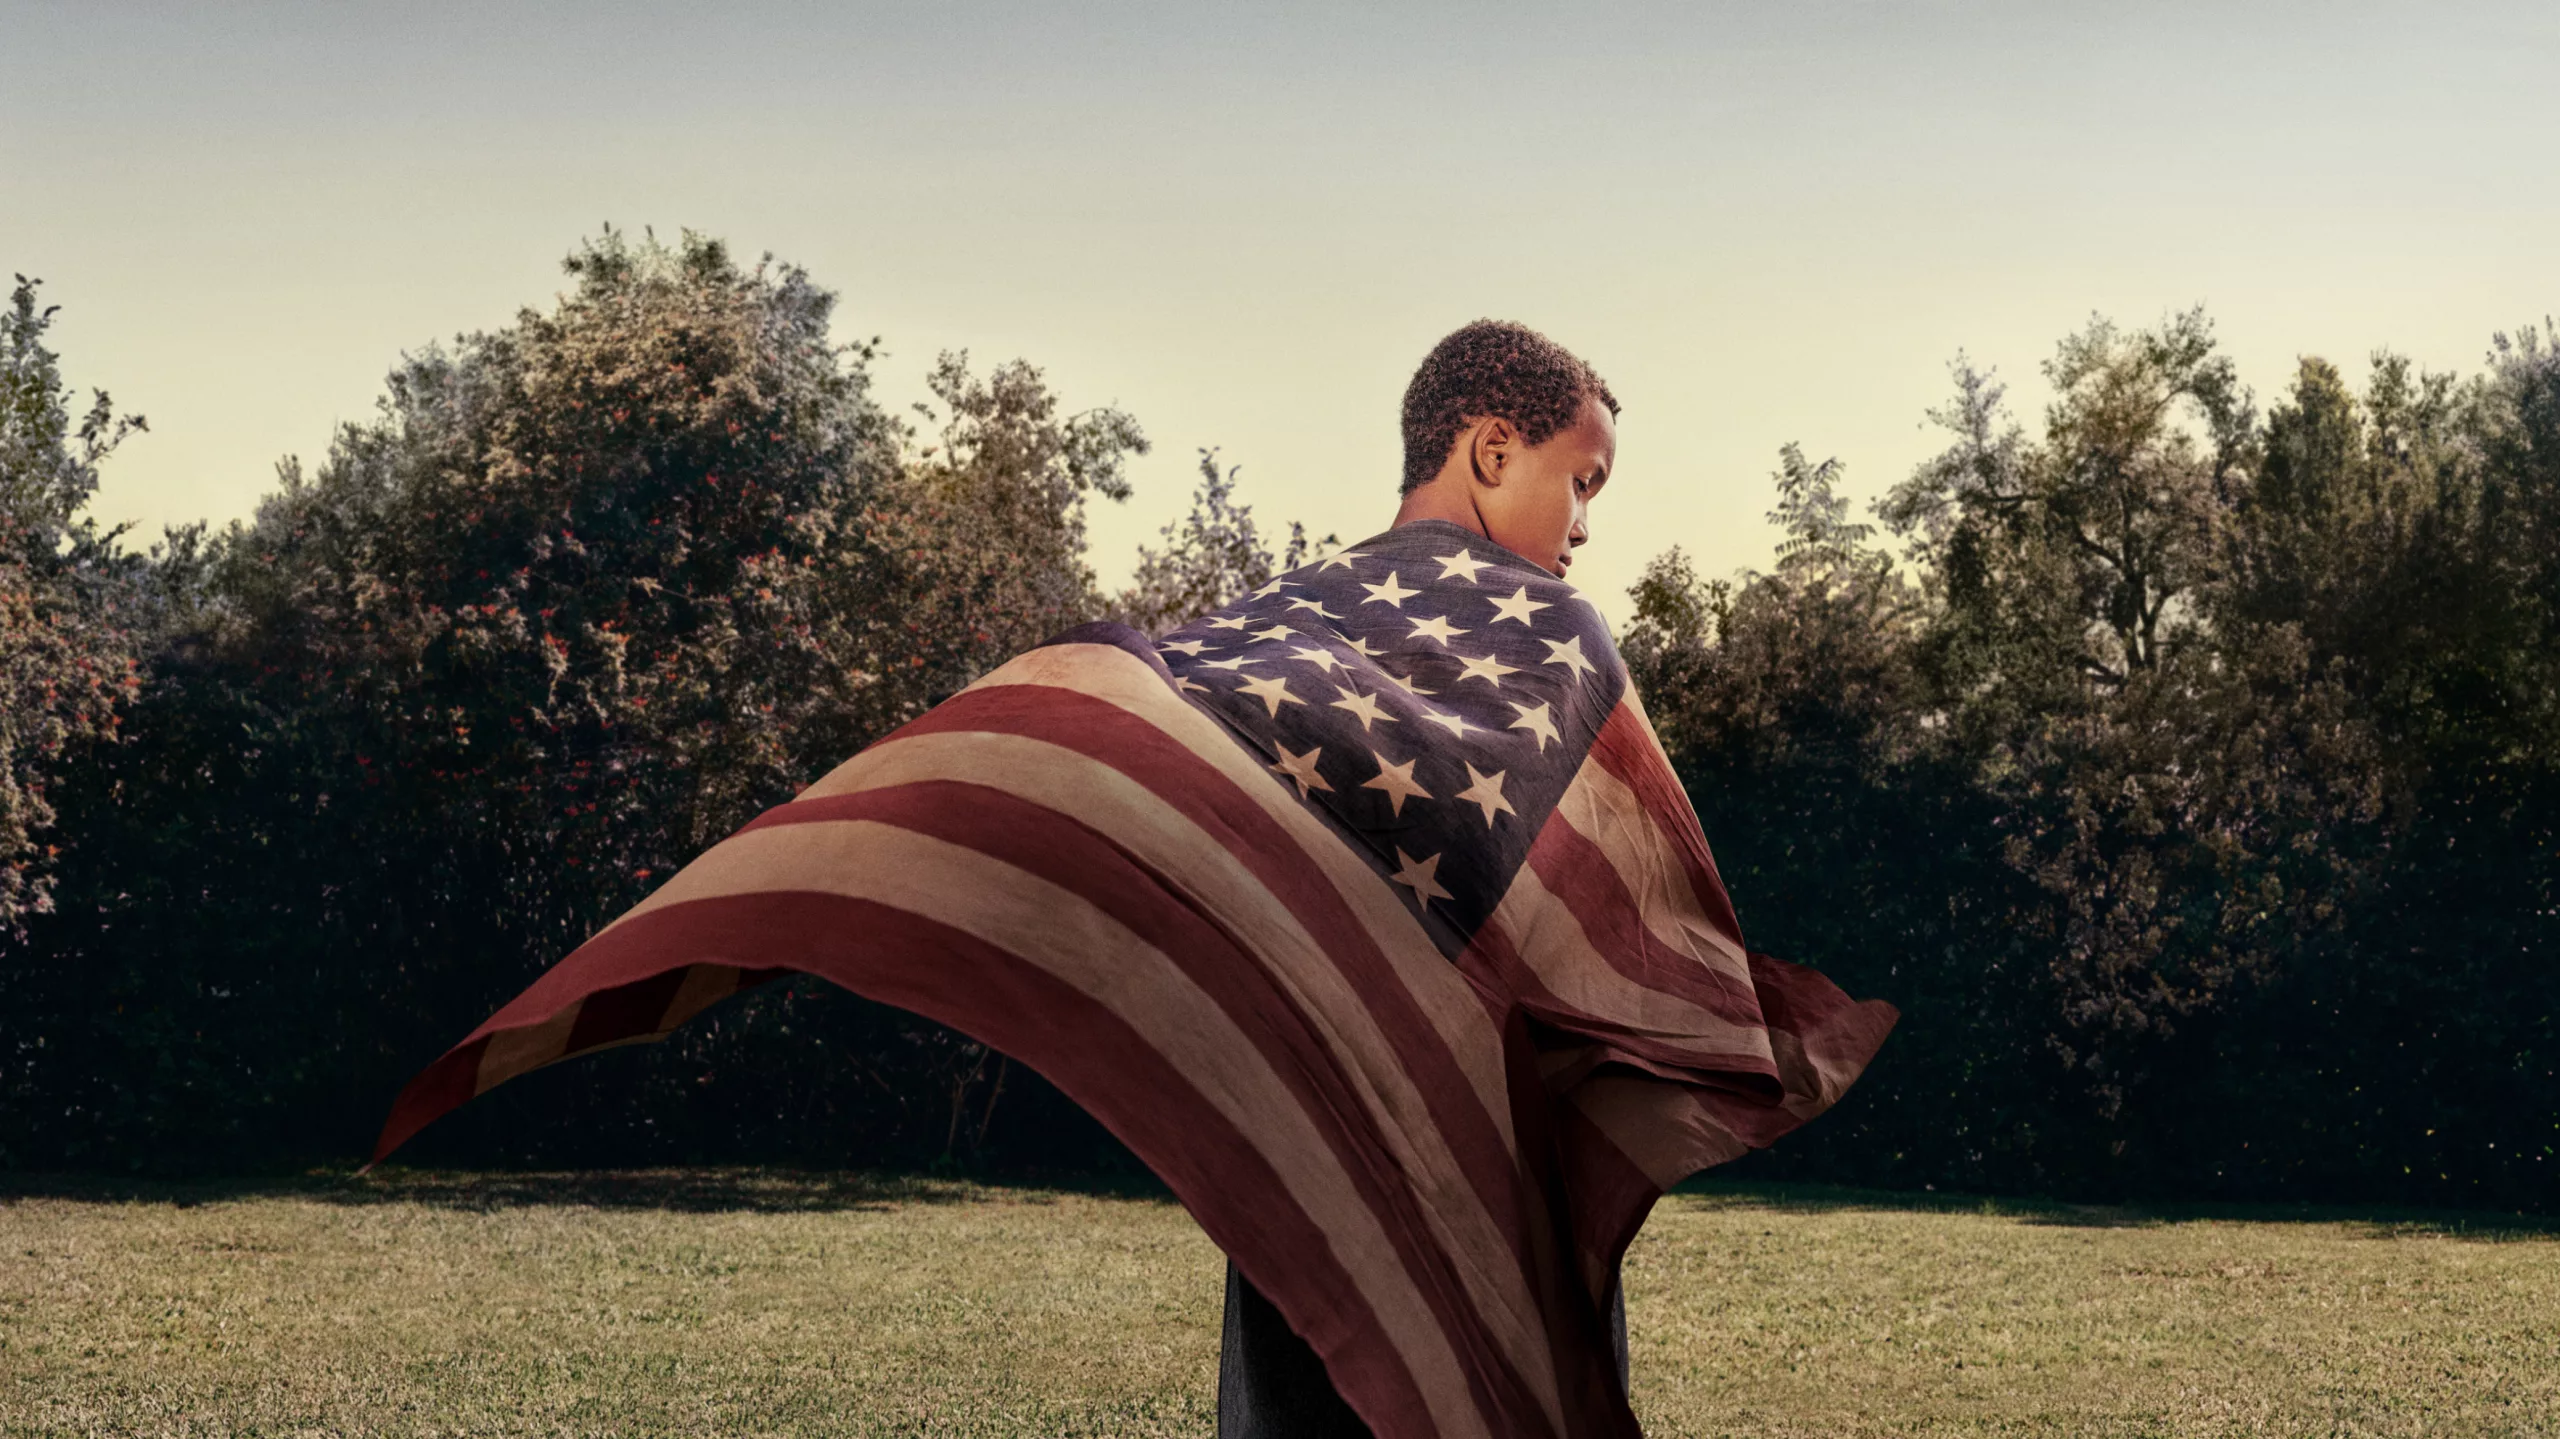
{"type": "Point", "coordinates": [826, 1305]}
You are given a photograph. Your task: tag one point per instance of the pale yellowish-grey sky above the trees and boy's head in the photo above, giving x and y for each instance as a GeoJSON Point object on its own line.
{"type": "Point", "coordinates": [1760, 221]}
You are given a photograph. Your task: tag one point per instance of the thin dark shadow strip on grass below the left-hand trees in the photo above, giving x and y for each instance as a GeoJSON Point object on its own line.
{"type": "Point", "coordinates": [672, 1189]}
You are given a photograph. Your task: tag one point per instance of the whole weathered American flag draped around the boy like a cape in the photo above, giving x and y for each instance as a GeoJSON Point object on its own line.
{"type": "Point", "coordinates": [1368, 913]}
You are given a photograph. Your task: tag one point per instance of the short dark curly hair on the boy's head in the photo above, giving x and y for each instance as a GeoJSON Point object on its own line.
{"type": "Point", "coordinates": [1499, 370]}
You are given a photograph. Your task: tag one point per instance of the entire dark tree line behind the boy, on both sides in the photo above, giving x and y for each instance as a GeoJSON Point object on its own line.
{"type": "Point", "coordinates": [2188, 775]}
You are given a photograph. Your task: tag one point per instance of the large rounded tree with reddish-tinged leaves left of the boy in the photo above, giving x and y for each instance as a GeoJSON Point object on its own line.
{"type": "Point", "coordinates": [580, 600]}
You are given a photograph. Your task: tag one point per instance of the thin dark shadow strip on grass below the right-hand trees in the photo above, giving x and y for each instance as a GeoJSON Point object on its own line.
{"type": "Point", "coordinates": [2380, 1223]}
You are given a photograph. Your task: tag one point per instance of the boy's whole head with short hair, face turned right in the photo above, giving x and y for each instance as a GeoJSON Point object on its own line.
{"type": "Point", "coordinates": [1509, 434]}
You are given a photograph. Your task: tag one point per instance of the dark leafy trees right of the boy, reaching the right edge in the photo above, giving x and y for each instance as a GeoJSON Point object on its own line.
{"type": "Point", "coordinates": [2198, 792]}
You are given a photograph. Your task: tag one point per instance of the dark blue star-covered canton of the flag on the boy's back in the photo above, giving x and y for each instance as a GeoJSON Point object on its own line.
{"type": "Point", "coordinates": [1427, 693]}
